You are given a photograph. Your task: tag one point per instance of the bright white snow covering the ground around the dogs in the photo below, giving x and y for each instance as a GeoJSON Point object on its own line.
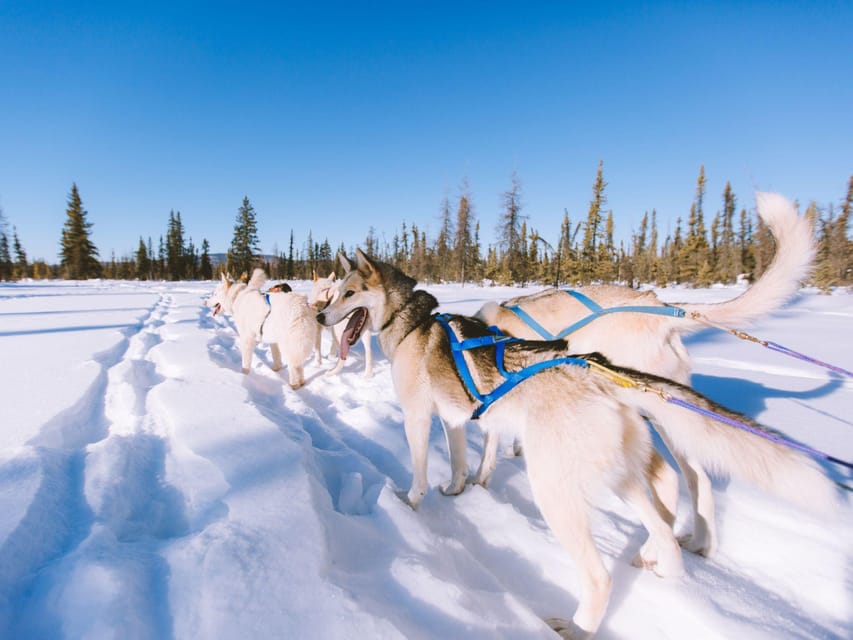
{"type": "Point", "coordinates": [148, 489]}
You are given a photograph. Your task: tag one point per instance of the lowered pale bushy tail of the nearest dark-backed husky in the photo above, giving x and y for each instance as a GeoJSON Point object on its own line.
{"type": "Point", "coordinates": [723, 449]}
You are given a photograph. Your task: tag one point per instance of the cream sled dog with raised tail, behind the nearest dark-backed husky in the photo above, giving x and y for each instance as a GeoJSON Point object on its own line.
{"type": "Point", "coordinates": [651, 342]}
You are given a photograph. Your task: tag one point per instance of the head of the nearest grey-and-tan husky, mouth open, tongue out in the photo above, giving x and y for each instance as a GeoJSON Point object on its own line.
{"type": "Point", "coordinates": [359, 296]}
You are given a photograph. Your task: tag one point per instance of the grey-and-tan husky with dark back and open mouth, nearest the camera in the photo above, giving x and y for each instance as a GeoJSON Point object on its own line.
{"type": "Point", "coordinates": [581, 432]}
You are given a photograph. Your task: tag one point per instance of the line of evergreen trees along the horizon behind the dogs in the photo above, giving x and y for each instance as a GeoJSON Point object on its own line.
{"type": "Point", "coordinates": [703, 249]}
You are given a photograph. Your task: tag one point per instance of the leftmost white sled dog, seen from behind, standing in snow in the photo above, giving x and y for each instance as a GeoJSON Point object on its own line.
{"type": "Point", "coordinates": [282, 320]}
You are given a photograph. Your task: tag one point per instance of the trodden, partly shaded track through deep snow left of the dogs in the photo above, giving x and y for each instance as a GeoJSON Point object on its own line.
{"type": "Point", "coordinates": [101, 488]}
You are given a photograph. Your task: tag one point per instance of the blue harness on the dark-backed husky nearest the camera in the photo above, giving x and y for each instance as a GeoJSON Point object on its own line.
{"type": "Point", "coordinates": [497, 340]}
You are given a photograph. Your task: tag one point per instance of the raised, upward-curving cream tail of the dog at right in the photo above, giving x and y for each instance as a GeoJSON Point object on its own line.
{"type": "Point", "coordinates": [795, 250]}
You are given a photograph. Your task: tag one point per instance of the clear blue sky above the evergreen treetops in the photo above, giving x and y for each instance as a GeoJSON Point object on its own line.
{"type": "Point", "coordinates": [334, 117]}
